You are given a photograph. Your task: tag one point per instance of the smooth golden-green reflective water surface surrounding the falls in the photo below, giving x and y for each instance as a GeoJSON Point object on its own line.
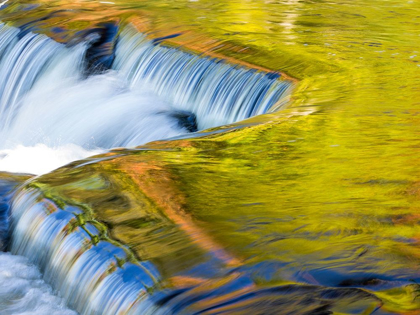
{"type": "Point", "coordinates": [321, 195]}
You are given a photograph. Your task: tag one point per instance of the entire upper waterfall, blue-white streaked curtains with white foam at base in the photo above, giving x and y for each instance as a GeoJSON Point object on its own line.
{"type": "Point", "coordinates": [151, 92]}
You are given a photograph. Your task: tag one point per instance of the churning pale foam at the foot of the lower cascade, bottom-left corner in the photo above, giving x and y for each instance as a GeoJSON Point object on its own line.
{"type": "Point", "coordinates": [23, 292]}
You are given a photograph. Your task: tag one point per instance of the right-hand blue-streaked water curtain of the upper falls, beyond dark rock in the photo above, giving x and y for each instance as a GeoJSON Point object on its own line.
{"type": "Point", "coordinates": [217, 92]}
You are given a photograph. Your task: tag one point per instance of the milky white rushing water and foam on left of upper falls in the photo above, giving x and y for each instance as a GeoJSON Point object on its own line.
{"type": "Point", "coordinates": [50, 115]}
